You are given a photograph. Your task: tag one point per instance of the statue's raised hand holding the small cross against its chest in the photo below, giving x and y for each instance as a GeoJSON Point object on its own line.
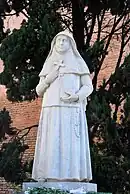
{"type": "Point", "coordinates": [52, 75]}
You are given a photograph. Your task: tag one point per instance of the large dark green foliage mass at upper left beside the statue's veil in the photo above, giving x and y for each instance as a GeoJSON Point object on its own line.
{"type": "Point", "coordinates": [24, 51]}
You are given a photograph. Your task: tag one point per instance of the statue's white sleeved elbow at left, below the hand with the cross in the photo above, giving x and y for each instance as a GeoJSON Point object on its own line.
{"type": "Point", "coordinates": [42, 86]}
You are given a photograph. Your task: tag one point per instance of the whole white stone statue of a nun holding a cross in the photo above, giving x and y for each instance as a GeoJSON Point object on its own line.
{"type": "Point", "coordinates": [62, 147]}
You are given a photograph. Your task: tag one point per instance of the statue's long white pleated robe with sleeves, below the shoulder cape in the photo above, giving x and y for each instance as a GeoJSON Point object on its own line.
{"type": "Point", "coordinates": [62, 146]}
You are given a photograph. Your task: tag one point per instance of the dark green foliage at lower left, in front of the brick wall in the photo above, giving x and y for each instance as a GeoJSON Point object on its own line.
{"type": "Point", "coordinates": [13, 146]}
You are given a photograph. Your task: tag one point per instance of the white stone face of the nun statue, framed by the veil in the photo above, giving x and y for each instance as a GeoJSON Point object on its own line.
{"type": "Point", "coordinates": [62, 43]}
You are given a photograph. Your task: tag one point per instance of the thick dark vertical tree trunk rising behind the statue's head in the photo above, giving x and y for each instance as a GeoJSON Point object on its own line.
{"type": "Point", "coordinates": [78, 23]}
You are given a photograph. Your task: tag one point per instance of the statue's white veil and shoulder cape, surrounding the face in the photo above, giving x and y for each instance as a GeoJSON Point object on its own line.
{"type": "Point", "coordinates": [73, 60]}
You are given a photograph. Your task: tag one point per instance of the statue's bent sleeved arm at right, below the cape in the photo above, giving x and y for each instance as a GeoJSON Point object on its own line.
{"type": "Point", "coordinates": [86, 87]}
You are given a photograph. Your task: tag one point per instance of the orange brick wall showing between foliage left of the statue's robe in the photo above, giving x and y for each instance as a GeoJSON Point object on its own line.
{"type": "Point", "coordinates": [23, 115]}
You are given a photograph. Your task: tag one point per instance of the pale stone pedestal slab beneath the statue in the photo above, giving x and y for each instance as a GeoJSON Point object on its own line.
{"type": "Point", "coordinates": [73, 187]}
